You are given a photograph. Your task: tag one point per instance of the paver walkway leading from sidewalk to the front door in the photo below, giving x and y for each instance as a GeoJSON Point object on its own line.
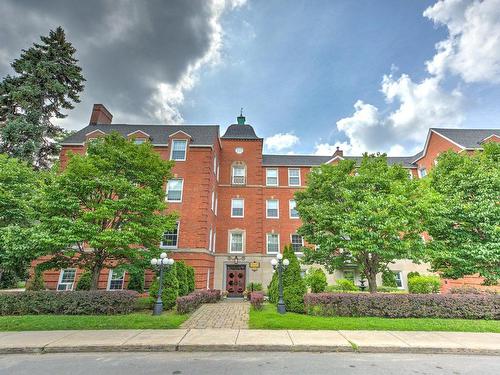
{"type": "Point", "coordinates": [226, 314]}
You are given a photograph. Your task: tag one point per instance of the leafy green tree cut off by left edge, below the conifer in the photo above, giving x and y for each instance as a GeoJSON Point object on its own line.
{"type": "Point", "coordinates": [19, 186]}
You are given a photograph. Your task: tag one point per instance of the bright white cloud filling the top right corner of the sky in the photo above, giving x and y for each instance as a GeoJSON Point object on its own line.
{"type": "Point", "coordinates": [472, 49]}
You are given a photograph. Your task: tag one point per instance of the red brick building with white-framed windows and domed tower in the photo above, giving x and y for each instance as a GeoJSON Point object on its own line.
{"type": "Point", "coordinates": [236, 205]}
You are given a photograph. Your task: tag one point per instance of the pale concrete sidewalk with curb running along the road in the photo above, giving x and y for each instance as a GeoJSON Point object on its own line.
{"type": "Point", "coordinates": [248, 340]}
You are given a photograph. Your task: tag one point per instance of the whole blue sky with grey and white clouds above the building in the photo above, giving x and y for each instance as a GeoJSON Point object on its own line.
{"type": "Point", "coordinates": [311, 75]}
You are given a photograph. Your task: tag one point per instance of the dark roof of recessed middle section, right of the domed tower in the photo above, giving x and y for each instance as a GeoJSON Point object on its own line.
{"type": "Point", "coordinates": [315, 160]}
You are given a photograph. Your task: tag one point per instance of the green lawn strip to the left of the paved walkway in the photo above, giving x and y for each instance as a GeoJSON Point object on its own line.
{"type": "Point", "coordinates": [140, 320]}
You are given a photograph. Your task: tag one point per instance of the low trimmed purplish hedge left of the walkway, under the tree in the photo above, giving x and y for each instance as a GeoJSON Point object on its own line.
{"type": "Point", "coordinates": [67, 303]}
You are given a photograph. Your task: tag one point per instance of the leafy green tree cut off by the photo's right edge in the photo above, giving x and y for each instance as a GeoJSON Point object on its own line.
{"type": "Point", "coordinates": [463, 193]}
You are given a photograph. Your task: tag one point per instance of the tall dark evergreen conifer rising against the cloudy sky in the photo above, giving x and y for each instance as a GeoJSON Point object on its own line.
{"type": "Point", "coordinates": [47, 82]}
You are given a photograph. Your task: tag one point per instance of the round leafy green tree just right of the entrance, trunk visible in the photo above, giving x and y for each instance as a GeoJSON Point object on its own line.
{"type": "Point", "coordinates": [367, 216]}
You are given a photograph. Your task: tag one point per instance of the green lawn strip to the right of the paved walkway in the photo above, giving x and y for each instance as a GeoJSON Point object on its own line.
{"type": "Point", "coordinates": [268, 318]}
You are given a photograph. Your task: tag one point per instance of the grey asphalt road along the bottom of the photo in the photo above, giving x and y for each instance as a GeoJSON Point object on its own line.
{"type": "Point", "coordinates": [246, 363]}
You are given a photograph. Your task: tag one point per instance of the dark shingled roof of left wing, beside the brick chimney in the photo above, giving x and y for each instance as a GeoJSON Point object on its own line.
{"type": "Point", "coordinates": [200, 134]}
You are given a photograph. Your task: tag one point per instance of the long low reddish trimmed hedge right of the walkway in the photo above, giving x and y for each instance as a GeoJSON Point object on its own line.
{"type": "Point", "coordinates": [464, 306]}
